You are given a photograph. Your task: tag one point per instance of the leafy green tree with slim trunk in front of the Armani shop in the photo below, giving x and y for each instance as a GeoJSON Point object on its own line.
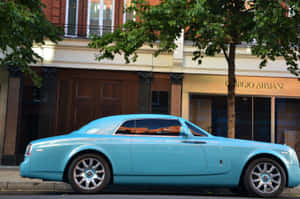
{"type": "Point", "coordinates": [218, 26]}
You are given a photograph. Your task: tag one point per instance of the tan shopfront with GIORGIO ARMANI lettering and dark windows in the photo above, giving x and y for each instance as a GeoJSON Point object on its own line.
{"type": "Point", "coordinates": [267, 108]}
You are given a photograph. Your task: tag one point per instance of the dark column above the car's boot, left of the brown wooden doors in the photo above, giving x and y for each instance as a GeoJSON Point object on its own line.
{"type": "Point", "coordinates": [47, 105]}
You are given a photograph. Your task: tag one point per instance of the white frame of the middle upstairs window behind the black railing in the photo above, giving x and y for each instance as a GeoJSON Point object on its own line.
{"type": "Point", "coordinates": [101, 11]}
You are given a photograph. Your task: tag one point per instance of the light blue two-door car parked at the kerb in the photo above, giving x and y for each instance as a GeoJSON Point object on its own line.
{"type": "Point", "coordinates": [161, 150]}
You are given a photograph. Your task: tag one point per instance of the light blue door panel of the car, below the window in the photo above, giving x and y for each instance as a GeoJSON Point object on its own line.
{"type": "Point", "coordinates": [166, 156]}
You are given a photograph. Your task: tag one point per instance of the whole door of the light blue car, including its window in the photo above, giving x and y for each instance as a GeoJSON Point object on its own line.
{"type": "Point", "coordinates": [158, 148]}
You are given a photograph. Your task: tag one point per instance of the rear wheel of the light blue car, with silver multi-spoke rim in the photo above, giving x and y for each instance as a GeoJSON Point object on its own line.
{"type": "Point", "coordinates": [89, 173]}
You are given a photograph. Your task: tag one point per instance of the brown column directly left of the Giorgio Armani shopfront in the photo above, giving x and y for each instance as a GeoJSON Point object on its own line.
{"type": "Point", "coordinates": [176, 93]}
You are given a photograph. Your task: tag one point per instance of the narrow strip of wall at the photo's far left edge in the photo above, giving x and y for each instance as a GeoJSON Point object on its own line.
{"type": "Point", "coordinates": [3, 102]}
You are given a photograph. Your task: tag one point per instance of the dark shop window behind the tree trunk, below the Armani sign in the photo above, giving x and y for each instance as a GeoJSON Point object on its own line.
{"type": "Point", "coordinates": [252, 121]}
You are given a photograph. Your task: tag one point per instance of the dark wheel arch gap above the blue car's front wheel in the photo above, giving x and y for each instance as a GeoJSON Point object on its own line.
{"type": "Point", "coordinates": [264, 155]}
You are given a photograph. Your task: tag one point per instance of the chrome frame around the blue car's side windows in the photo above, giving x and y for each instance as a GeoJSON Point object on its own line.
{"type": "Point", "coordinates": [145, 135]}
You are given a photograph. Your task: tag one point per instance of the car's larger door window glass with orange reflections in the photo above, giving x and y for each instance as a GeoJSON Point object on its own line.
{"type": "Point", "coordinates": [158, 127]}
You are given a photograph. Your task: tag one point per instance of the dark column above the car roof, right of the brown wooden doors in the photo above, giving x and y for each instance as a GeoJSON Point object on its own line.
{"type": "Point", "coordinates": [145, 95]}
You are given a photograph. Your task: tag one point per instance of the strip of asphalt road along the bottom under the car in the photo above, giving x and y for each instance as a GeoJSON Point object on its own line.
{"type": "Point", "coordinates": [20, 195]}
